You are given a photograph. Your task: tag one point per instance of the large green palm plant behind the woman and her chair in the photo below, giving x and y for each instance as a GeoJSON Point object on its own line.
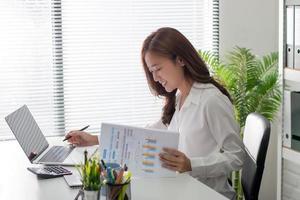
{"type": "Point", "coordinates": [253, 84]}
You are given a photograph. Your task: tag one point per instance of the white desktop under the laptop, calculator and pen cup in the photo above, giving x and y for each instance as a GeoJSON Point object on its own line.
{"type": "Point", "coordinates": [17, 183]}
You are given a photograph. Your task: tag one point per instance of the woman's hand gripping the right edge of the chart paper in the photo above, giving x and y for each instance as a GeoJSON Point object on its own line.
{"type": "Point", "coordinates": [175, 160]}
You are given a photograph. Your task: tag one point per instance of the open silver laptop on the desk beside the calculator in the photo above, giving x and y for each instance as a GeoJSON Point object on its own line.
{"type": "Point", "coordinates": [36, 147]}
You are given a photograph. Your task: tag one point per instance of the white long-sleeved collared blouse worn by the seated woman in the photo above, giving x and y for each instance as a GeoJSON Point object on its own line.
{"type": "Point", "coordinates": [208, 136]}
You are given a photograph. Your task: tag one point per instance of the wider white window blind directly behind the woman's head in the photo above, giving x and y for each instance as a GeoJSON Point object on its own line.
{"type": "Point", "coordinates": [103, 76]}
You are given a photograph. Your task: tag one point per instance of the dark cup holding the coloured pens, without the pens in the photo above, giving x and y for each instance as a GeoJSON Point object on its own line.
{"type": "Point", "coordinates": [118, 191]}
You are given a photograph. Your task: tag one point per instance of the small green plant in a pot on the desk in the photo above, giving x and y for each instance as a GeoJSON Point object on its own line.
{"type": "Point", "coordinates": [90, 173]}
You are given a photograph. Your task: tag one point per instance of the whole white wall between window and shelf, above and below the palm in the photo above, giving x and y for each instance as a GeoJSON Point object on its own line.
{"type": "Point", "coordinates": [253, 24]}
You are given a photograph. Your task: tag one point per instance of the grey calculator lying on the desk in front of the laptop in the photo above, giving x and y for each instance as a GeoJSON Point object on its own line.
{"type": "Point", "coordinates": [49, 171]}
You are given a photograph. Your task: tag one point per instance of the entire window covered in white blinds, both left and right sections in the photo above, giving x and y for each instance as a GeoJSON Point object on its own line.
{"type": "Point", "coordinates": [91, 68]}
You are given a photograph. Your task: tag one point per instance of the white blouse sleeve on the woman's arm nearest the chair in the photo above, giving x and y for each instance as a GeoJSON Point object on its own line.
{"type": "Point", "coordinates": [230, 153]}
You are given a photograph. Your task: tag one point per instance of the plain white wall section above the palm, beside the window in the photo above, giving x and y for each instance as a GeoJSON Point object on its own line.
{"type": "Point", "coordinates": [252, 24]}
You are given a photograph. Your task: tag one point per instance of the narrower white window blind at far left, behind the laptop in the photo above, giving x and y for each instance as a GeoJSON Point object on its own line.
{"type": "Point", "coordinates": [26, 61]}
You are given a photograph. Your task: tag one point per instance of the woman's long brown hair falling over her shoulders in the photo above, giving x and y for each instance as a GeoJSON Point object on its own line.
{"type": "Point", "coordinates": [170, 43]}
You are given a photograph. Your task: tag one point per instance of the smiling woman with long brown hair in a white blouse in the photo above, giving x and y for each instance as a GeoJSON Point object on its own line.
{"type": "Point", "coordinates": [196, 106]}
